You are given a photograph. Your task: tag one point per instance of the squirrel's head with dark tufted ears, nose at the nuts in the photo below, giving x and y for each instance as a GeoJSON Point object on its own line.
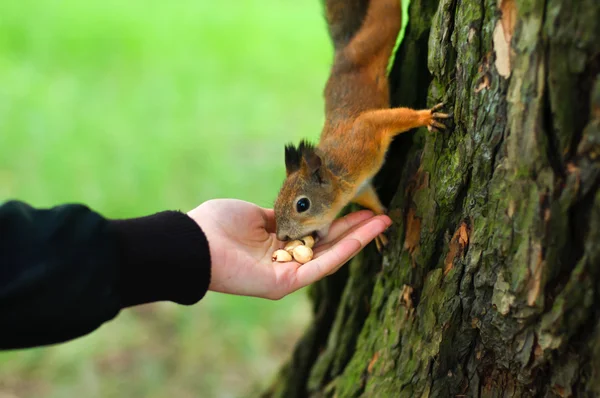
{"type": "Point", "coordinates": [304, 203]}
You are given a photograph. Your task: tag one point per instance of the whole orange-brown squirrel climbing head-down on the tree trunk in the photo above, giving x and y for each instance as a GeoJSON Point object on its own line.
{"type": "Point", "coordinates": [359, 124]}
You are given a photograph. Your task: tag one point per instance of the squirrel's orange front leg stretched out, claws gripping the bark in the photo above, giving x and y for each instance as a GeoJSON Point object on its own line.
{"type": "Point", "coordinates": [394, 121]}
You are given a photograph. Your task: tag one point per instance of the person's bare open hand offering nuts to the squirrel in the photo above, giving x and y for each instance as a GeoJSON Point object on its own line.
{"type": "Point", "coordinates": [241, 237]}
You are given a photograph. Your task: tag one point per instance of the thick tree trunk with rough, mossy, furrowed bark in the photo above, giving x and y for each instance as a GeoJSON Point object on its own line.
{"type": "Point", "coordinates": [490, 285]}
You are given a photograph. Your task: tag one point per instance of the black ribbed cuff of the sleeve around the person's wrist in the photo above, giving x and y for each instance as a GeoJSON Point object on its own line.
{"type": "Point", "coordinates": [165, 256]}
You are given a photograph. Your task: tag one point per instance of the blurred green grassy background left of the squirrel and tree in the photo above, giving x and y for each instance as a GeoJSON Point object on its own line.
{"type": "Point", "coordinates": [137, 106]}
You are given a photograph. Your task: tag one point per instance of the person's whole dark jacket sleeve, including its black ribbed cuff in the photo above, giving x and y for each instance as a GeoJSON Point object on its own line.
{"type": "Point", "coordinates": [64, 271]}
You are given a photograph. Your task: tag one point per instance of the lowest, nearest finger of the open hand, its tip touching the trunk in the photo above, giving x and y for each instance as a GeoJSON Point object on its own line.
{"type": "Point", "coordinates": [339, 253]}
